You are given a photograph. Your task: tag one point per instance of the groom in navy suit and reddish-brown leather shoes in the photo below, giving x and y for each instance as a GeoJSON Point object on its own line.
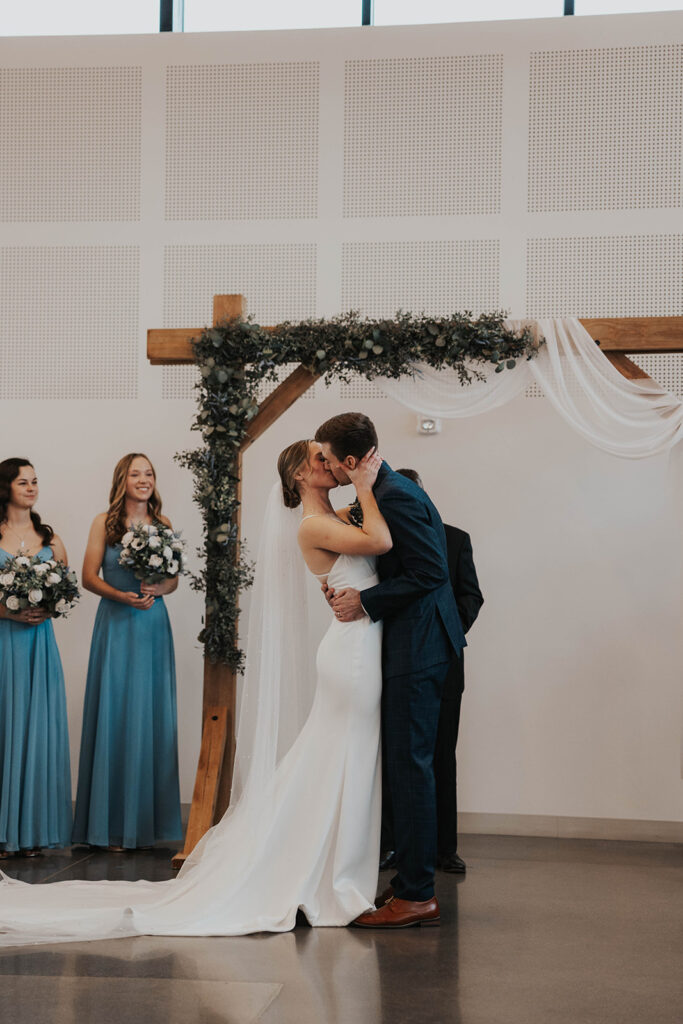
{"type": "Point", "coordinates": [421, 630]}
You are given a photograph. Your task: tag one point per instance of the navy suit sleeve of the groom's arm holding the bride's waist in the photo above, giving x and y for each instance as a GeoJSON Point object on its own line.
{"type": "Point", "coordinates": [423, 565]}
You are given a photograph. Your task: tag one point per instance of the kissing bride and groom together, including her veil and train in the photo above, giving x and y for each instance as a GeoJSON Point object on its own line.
{"type": "Point", "coordinates": [303, 833]}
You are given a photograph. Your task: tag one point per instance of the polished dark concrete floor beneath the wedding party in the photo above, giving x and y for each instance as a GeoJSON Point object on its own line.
{"type": "Point", "coordinates": [547, 931]}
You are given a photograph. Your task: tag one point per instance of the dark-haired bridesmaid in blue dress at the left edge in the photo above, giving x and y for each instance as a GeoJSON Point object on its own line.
{"type": "Point", "coordinates": [35, 775]}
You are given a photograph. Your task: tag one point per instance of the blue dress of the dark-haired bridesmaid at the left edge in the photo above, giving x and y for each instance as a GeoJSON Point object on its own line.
{"type": "Point", "coordinates": [35, 775]}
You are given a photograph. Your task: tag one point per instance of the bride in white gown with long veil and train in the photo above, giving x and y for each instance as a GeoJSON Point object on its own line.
{"type": "Point", "coordinates": [304, 828]}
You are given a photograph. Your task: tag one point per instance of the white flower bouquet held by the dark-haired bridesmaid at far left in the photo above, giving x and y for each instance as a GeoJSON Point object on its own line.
{"type": "Point", "coordinates": [26, 582]}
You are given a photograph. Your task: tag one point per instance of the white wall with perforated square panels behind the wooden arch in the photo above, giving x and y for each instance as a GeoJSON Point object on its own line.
{"type": "Point", "coordinates": [573, 704]}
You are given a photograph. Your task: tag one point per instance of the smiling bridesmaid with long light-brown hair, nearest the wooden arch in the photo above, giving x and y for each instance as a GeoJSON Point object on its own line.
{"type": "Point", "coordinates": [129, 794]}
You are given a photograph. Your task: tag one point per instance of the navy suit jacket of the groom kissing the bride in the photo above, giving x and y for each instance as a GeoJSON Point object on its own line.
{"type": "Point", "coordinates": [414, 598]}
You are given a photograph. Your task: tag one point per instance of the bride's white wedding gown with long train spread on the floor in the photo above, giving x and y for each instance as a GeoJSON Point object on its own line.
{"type": "Point", "coordinates": [306, 835]}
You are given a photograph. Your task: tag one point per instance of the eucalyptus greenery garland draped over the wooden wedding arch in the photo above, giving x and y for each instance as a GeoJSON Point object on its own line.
{"type": "Point", "coordinates": [238, 357]}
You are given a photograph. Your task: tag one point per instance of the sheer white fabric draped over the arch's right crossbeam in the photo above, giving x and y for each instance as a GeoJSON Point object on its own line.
{"type": "Point", "coordinates": [631, 419]}
